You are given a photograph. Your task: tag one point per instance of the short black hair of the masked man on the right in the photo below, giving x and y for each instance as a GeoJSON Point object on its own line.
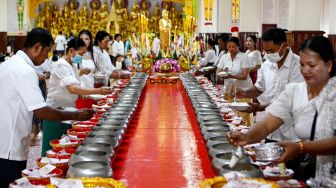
{"type": "Point", "coordinates": [276, 35]}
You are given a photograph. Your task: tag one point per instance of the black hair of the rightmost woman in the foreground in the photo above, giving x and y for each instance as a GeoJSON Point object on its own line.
{"type": "Point", "coordinates": [322, 46]}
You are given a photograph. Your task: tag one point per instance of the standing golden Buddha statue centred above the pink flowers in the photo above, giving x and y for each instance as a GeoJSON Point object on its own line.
{"type": "Point", "coordinates": [165, 26]}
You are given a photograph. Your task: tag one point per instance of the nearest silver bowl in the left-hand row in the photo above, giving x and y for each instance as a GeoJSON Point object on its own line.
{"type": "Point", "coordinates": [90, 169]}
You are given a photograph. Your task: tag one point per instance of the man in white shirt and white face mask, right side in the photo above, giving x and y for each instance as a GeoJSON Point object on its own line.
{"type": "Point", "coordinates": [281, 67]}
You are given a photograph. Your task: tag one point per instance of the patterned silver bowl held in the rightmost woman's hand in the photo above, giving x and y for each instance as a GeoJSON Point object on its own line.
{"type": "Point", "coordinates": [268, 152]}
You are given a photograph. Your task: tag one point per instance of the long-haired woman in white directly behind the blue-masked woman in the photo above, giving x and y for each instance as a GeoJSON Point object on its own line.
{"type": "Point", "coordinates": [88, 67]}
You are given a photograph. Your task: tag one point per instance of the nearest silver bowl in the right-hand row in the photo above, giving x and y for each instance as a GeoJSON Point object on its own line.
{"type": "Point", "coordinates": [243, 169]}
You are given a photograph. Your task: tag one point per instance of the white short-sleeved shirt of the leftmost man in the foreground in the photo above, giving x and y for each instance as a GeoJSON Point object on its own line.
{"type": "Point", "coordinates": [20, 95]}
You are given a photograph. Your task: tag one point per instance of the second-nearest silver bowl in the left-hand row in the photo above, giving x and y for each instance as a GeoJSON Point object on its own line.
{"type": "Point", "coordinates": [89, 156]}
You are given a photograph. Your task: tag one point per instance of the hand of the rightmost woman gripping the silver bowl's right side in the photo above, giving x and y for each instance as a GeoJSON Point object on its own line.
{"type": "Point", "coordinates": [291, 150]}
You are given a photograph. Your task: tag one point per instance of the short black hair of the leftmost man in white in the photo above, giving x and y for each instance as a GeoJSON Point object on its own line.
{"type": "Point", "coordinates": [38, 35]}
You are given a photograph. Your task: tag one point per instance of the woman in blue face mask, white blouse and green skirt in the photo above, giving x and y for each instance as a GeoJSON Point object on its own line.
{"type": "Point", "coordinates": [64, 88]}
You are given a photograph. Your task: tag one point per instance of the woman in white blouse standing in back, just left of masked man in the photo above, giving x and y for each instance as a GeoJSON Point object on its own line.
{"type": "Point", "coordinates": [254, 56]}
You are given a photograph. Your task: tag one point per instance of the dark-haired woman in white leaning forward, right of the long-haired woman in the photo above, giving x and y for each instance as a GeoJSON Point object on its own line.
{"type": "Point", "coordinates": [100, 56]}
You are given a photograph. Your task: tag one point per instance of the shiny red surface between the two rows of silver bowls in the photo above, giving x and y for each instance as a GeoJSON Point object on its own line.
{"type": "Point", "coordinates": [163, 146]}
